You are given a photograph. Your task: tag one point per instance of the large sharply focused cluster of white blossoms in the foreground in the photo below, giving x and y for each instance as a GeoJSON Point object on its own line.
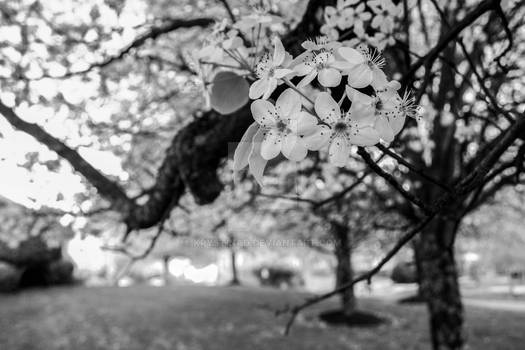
{"type": "Point", "coordinates": [292, 128]}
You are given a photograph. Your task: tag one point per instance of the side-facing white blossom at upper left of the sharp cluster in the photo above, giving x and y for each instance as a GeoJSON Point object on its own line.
{"type": "Point", "coordinates": [270, 71]}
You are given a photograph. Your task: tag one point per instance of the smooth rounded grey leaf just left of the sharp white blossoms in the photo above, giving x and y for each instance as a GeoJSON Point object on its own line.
{"type": "Point", "coordinates": [229, 92]}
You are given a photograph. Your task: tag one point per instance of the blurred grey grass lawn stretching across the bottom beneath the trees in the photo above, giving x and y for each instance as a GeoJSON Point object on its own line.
{"type": "Point", "coordinates": [208, 318]}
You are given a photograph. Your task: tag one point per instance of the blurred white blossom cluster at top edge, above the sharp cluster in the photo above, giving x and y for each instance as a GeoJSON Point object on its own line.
{"type": "Point", "coordinates": [356, 16]}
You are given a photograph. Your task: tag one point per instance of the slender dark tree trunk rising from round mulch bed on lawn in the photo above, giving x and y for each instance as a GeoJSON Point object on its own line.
{"type": "Point", "coordinates": [344, 271]}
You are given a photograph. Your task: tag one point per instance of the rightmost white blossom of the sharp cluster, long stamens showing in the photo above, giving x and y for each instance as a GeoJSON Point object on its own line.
{"type": "Point", "coordinates": [384, 107]}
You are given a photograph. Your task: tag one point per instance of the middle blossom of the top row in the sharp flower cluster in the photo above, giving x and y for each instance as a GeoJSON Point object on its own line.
{"type": "Point", "coordinates": [321, 65]}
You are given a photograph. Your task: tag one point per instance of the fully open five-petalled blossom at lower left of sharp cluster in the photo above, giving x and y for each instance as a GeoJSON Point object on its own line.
{"type": "Point", "coordinates": [284, 125]}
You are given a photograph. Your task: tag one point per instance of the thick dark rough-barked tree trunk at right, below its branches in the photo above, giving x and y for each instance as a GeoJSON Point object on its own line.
{"type": "Point", "coordinates": [439, 284]}
